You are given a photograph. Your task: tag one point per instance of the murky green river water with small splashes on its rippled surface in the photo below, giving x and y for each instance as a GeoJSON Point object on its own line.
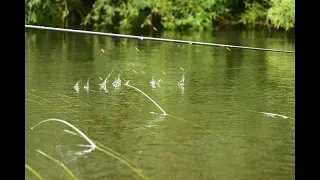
{"type": "Point", "coordinates": [217, 127]}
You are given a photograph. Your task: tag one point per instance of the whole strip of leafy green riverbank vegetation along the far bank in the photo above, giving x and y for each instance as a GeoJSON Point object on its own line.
{"type": "Point", "coordinates": [161, 14]}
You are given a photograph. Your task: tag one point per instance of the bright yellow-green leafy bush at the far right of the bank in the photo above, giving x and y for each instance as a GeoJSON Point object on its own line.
{"type": "Point", "coordinates": [282, 13]}
